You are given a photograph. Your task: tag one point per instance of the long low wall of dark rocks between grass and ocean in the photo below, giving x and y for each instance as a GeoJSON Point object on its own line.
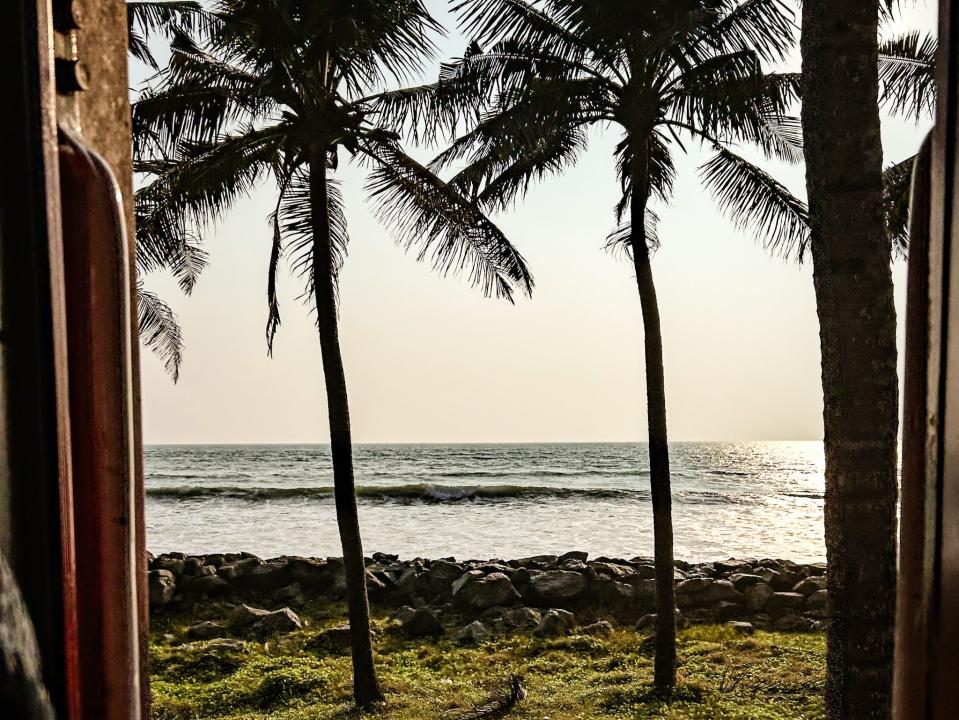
{"type": "Point", "coordinates": [552, 595]}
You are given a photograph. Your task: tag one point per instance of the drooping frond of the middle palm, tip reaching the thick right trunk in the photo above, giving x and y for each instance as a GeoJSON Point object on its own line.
{"type": "Point", "coordinates": [752, 199]}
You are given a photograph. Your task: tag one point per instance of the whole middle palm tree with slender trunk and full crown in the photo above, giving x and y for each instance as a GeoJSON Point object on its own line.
{"type": "Point", "coordinates": [658, 71]}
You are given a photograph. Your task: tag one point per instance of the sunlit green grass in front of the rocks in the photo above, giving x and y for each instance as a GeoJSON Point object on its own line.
{"type": "Point", "coordinates": [722, 675]}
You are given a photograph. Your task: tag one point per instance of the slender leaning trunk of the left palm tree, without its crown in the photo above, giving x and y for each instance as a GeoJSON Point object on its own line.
{"type": "Point", "coordinates": [366, 689]}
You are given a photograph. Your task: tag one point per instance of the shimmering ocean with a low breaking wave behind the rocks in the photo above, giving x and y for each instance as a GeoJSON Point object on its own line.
{"type": "Point", "coordinates": [735, 499]}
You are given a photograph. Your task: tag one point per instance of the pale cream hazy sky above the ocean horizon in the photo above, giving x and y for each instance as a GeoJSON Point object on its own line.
{"type": "Point", "coordinates": [429, 359]}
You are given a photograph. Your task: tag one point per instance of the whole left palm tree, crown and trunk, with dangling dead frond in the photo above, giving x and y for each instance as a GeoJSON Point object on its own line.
{"type": "Point", "coordinates": [280, 90]}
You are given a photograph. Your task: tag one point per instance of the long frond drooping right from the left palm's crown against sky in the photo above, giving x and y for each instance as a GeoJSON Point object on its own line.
{"type": "Point", "coordinates": [448, 228]}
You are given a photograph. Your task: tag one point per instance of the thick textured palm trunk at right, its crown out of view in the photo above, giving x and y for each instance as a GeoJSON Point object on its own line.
{"type": "Point", "coordinates": [857, 330]}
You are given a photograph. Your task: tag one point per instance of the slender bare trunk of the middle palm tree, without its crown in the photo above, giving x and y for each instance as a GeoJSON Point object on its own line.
{"type": "Point", "coordinates": [664, 676]}
